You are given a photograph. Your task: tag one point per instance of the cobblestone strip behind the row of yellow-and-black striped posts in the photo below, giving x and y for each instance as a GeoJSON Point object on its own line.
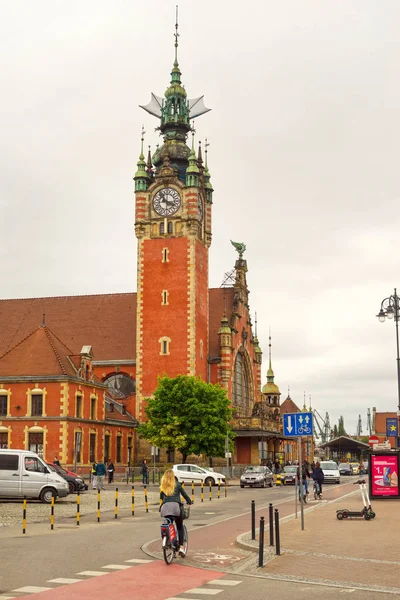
{"type": "Point", "coordinates": [11, 511]}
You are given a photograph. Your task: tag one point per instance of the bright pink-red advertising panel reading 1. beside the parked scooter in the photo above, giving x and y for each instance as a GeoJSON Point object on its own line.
{"type": "Point", "coordinates": [384, 475]}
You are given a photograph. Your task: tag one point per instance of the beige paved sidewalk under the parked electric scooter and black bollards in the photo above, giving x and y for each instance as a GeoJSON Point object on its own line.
{"type": "Point", "coordinates": [352, 552]}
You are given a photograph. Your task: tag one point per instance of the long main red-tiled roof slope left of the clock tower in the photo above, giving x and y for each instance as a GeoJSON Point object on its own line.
{"type": "Point", "coordinates": [107, 322]}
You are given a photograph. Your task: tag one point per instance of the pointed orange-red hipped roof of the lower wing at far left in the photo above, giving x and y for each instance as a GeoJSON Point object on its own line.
{"type": "Point", "coordinates": [41, 353]}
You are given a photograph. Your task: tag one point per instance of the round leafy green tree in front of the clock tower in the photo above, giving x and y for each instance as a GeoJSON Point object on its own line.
{"type": "Point", "coordinates": [188, 414]}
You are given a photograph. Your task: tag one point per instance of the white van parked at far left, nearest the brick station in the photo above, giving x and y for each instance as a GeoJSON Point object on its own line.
{"type": "Point", "coordinates": [24, 473]}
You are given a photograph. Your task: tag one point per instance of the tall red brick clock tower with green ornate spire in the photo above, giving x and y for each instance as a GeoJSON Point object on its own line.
{"type": "Point", "coordinates": [173, 227]}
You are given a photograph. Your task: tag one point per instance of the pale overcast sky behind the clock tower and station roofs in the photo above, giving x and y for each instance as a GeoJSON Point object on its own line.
{"type": "Point", "coordinates": [304, 159]}
